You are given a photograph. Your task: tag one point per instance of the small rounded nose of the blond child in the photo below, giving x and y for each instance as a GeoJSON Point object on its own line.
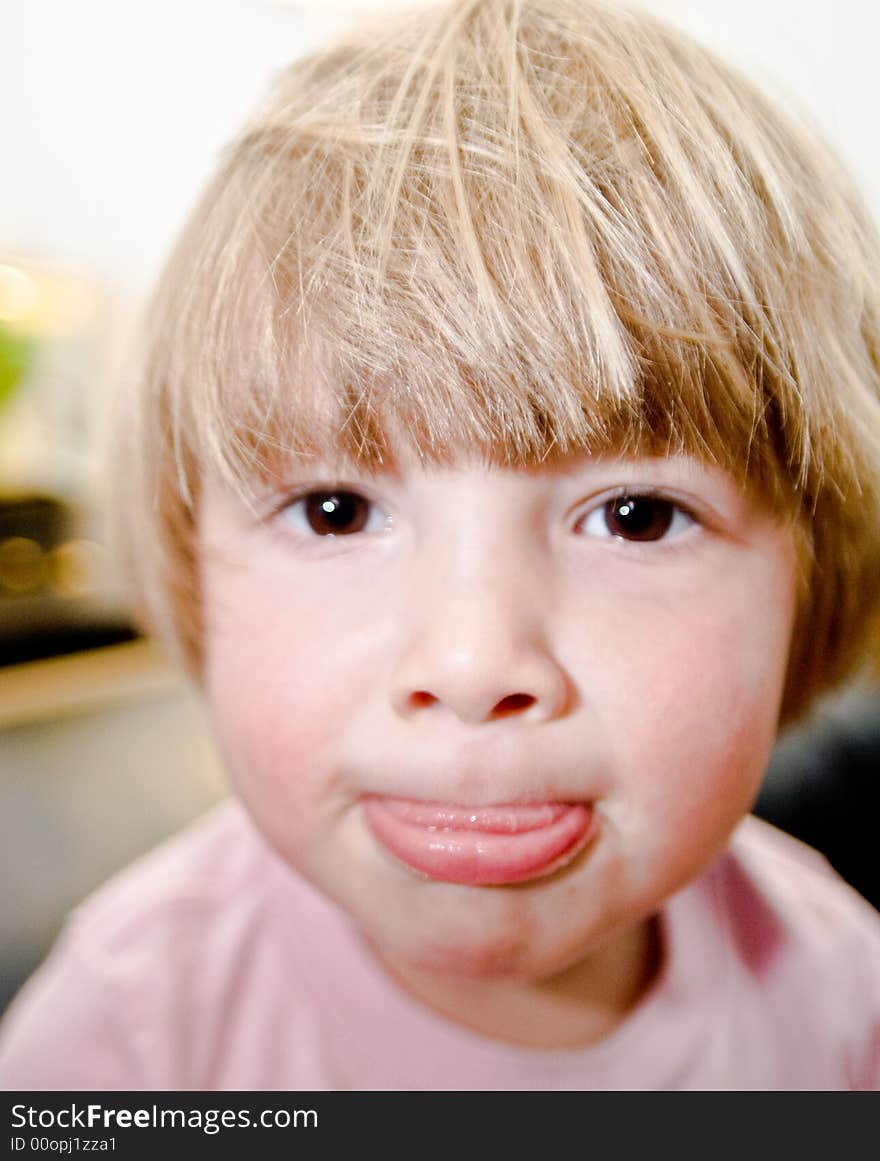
{"type": "Point", "coordinates": [477, 650]}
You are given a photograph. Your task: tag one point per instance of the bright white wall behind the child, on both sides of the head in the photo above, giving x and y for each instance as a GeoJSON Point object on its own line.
{"type": "Point", "coordinates": [114, 111]}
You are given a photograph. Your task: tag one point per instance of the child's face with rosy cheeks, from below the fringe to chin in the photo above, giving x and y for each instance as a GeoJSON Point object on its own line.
{"type": "Point", "coordinates": [608, 639]}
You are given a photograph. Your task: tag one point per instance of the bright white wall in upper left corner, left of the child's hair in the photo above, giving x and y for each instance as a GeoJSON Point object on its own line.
{"type": "Point", "coordinates": [114, 112]}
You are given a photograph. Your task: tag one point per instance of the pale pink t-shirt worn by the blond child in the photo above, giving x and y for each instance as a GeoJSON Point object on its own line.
{"type": "Point", "coordinates": [211, 965]}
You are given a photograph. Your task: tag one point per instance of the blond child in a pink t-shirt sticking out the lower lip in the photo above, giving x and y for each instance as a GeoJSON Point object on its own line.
{"type": "Point", "coordinates": [507, 468]}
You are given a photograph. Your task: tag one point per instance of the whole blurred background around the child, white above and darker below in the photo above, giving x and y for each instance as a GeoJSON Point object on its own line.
{"type": "Point", "coordinates": [113, 113]}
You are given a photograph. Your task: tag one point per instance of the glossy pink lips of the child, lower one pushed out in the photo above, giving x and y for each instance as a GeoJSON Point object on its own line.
{"type": "Point", "coordinates": [485, 846]}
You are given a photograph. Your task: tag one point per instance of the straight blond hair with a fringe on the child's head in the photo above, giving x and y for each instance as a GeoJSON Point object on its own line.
{"type": "Point", "coordinates": [530, 228]}
